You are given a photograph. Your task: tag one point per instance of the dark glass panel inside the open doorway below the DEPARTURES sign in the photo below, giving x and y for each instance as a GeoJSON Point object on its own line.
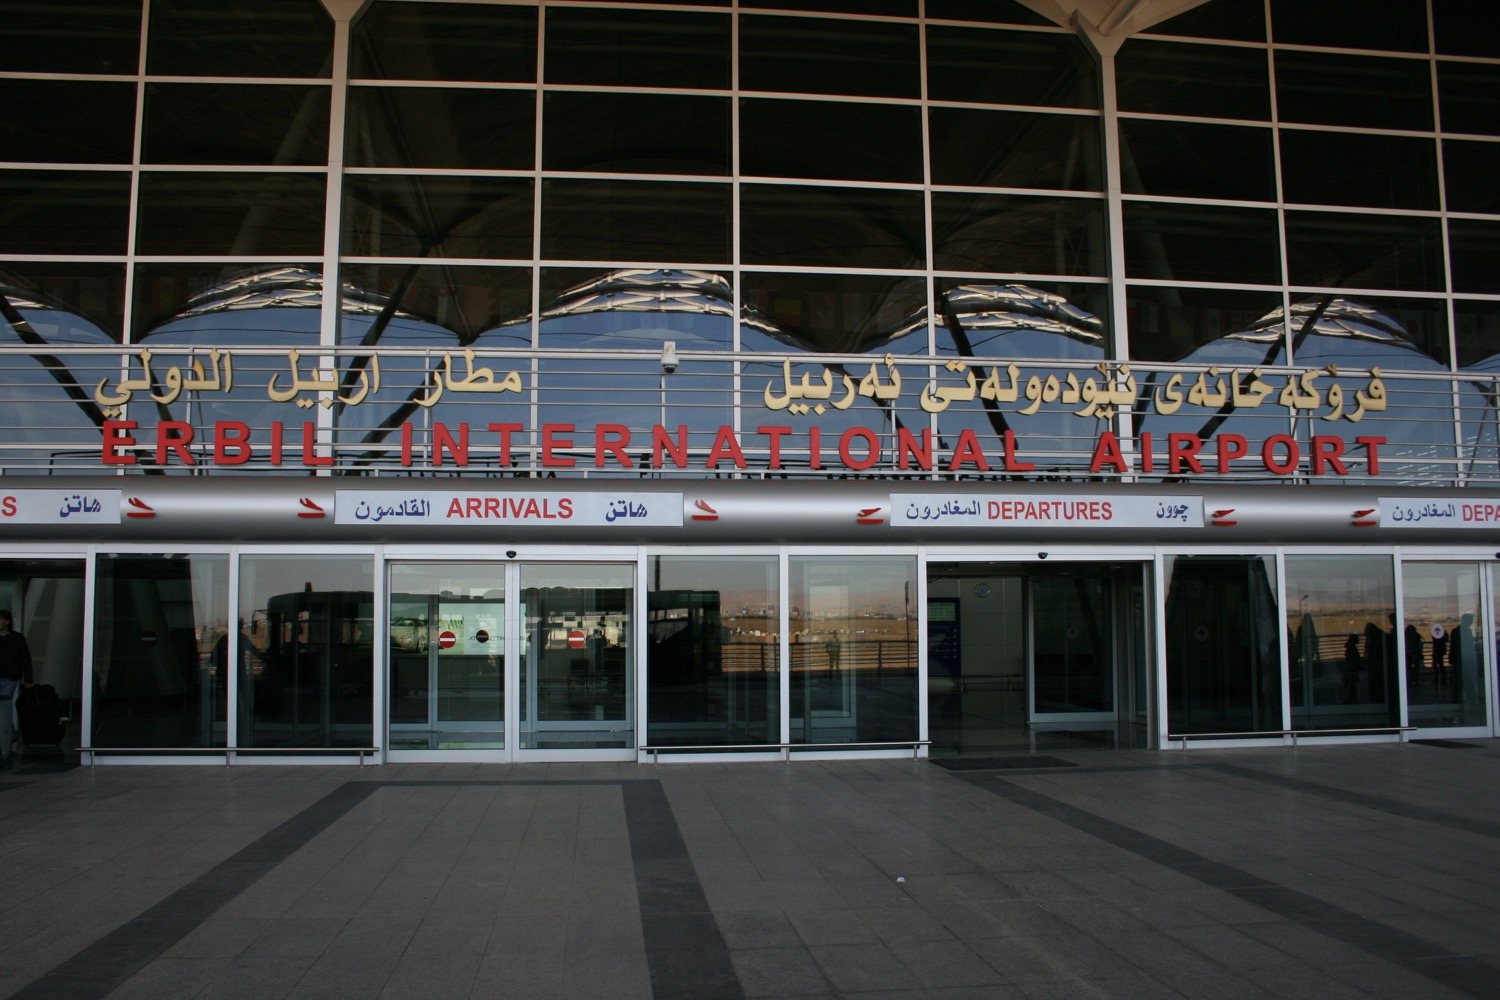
{"type": "Point", "coordinates": [1073, 644]}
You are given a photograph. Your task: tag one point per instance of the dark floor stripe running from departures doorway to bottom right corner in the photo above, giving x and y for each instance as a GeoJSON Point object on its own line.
{"type": "Point", "coordinates": [1427, 959]}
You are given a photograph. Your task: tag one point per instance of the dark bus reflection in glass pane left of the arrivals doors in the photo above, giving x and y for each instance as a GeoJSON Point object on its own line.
{"type": "Point", "coordinates": [307, 680]}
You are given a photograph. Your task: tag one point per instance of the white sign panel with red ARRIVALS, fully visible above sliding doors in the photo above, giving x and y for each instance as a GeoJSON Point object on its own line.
{"type": "Point", "coordinates": [478, 507]}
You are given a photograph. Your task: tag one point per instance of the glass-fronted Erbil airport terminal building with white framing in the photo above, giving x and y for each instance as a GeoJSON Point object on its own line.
{"type": "Point", "coordinates": [593, 380]}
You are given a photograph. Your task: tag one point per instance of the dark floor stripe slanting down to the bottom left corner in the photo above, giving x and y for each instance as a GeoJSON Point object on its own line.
{"type": "Point", "coordinates": [104, 966]}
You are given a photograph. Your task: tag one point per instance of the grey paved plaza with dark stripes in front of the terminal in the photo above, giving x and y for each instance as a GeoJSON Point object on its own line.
{"type": "Point", "coordinates": [1331, 872]}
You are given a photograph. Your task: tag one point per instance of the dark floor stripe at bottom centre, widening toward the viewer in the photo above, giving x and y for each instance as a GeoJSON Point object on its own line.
{"type": "Point", "coordinates": [686, 953]}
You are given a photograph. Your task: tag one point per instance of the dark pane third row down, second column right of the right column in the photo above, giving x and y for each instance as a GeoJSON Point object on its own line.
{"type": "Point", "coordinates": [1378, 172]}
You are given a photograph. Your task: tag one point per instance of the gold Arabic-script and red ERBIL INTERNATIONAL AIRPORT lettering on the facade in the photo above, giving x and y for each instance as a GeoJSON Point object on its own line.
{"type": "Point", "coordinates": [1327, 398]}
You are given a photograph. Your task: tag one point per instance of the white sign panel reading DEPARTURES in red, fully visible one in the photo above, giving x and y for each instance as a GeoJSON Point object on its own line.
{"type": "Point", "coordinates": [1075, 510]}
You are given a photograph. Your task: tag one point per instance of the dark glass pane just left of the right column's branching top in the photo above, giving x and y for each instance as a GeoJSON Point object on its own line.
{"type": "Point", "coordinates": [1019, 68]}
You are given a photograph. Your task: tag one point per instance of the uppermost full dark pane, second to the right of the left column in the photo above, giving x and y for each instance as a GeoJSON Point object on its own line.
{"type": "Point", "coordinates": [638, 49]}
